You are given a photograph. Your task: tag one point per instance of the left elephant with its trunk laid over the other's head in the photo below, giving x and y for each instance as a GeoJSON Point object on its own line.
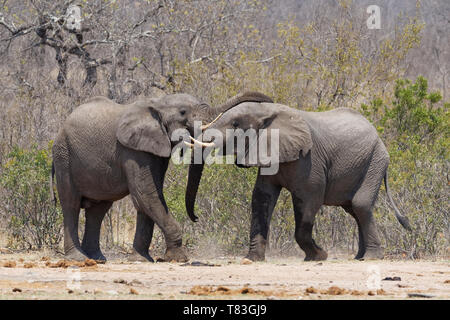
{"type": "Point", "coordinates": [105, 151]}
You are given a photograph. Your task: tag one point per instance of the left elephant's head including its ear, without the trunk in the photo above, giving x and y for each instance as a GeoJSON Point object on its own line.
{"type": "Point", "coordinates": [148, 125]}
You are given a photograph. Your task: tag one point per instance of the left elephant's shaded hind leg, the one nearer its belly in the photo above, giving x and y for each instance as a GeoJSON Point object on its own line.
{"type": "Point", "coordinates": [91, 240]}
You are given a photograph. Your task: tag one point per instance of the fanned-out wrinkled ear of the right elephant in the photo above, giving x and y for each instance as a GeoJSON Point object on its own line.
{"type": "Point", "coordinates": [294, 136]}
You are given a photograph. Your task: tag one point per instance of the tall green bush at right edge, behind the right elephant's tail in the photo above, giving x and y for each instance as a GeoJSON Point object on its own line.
{"type": "Point", "coordinates": [415, 128]}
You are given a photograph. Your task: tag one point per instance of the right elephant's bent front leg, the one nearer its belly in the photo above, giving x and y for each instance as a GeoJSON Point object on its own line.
{"type": "Point", "coordinates": [304, 222]}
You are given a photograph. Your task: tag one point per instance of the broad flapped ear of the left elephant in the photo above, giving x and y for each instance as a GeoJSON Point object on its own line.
{"type": "Point", "coordinates": [140, 128]}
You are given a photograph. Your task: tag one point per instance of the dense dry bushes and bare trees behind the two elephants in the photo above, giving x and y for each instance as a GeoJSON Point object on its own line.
{"type": "Point", "coordinates": [213, 50]}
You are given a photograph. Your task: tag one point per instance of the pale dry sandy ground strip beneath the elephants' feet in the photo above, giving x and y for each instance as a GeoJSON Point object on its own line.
{"type": "Point", "coordinates": [33, 276]}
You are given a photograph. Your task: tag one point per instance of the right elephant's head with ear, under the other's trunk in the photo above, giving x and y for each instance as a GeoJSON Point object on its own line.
{"type": "Point", "coordinates": [291, 134]}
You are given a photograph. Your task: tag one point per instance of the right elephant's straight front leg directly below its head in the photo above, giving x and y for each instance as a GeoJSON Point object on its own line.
{"type": "Point", "coordinates": [264, 199]}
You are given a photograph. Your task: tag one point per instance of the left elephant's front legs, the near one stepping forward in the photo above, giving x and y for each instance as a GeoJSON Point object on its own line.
{"type": "Point", "coordinates": [146, 193]}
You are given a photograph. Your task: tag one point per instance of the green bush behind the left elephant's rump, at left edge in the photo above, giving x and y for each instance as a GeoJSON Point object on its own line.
{"type": "Point", "coordinates": [34, 222]}
